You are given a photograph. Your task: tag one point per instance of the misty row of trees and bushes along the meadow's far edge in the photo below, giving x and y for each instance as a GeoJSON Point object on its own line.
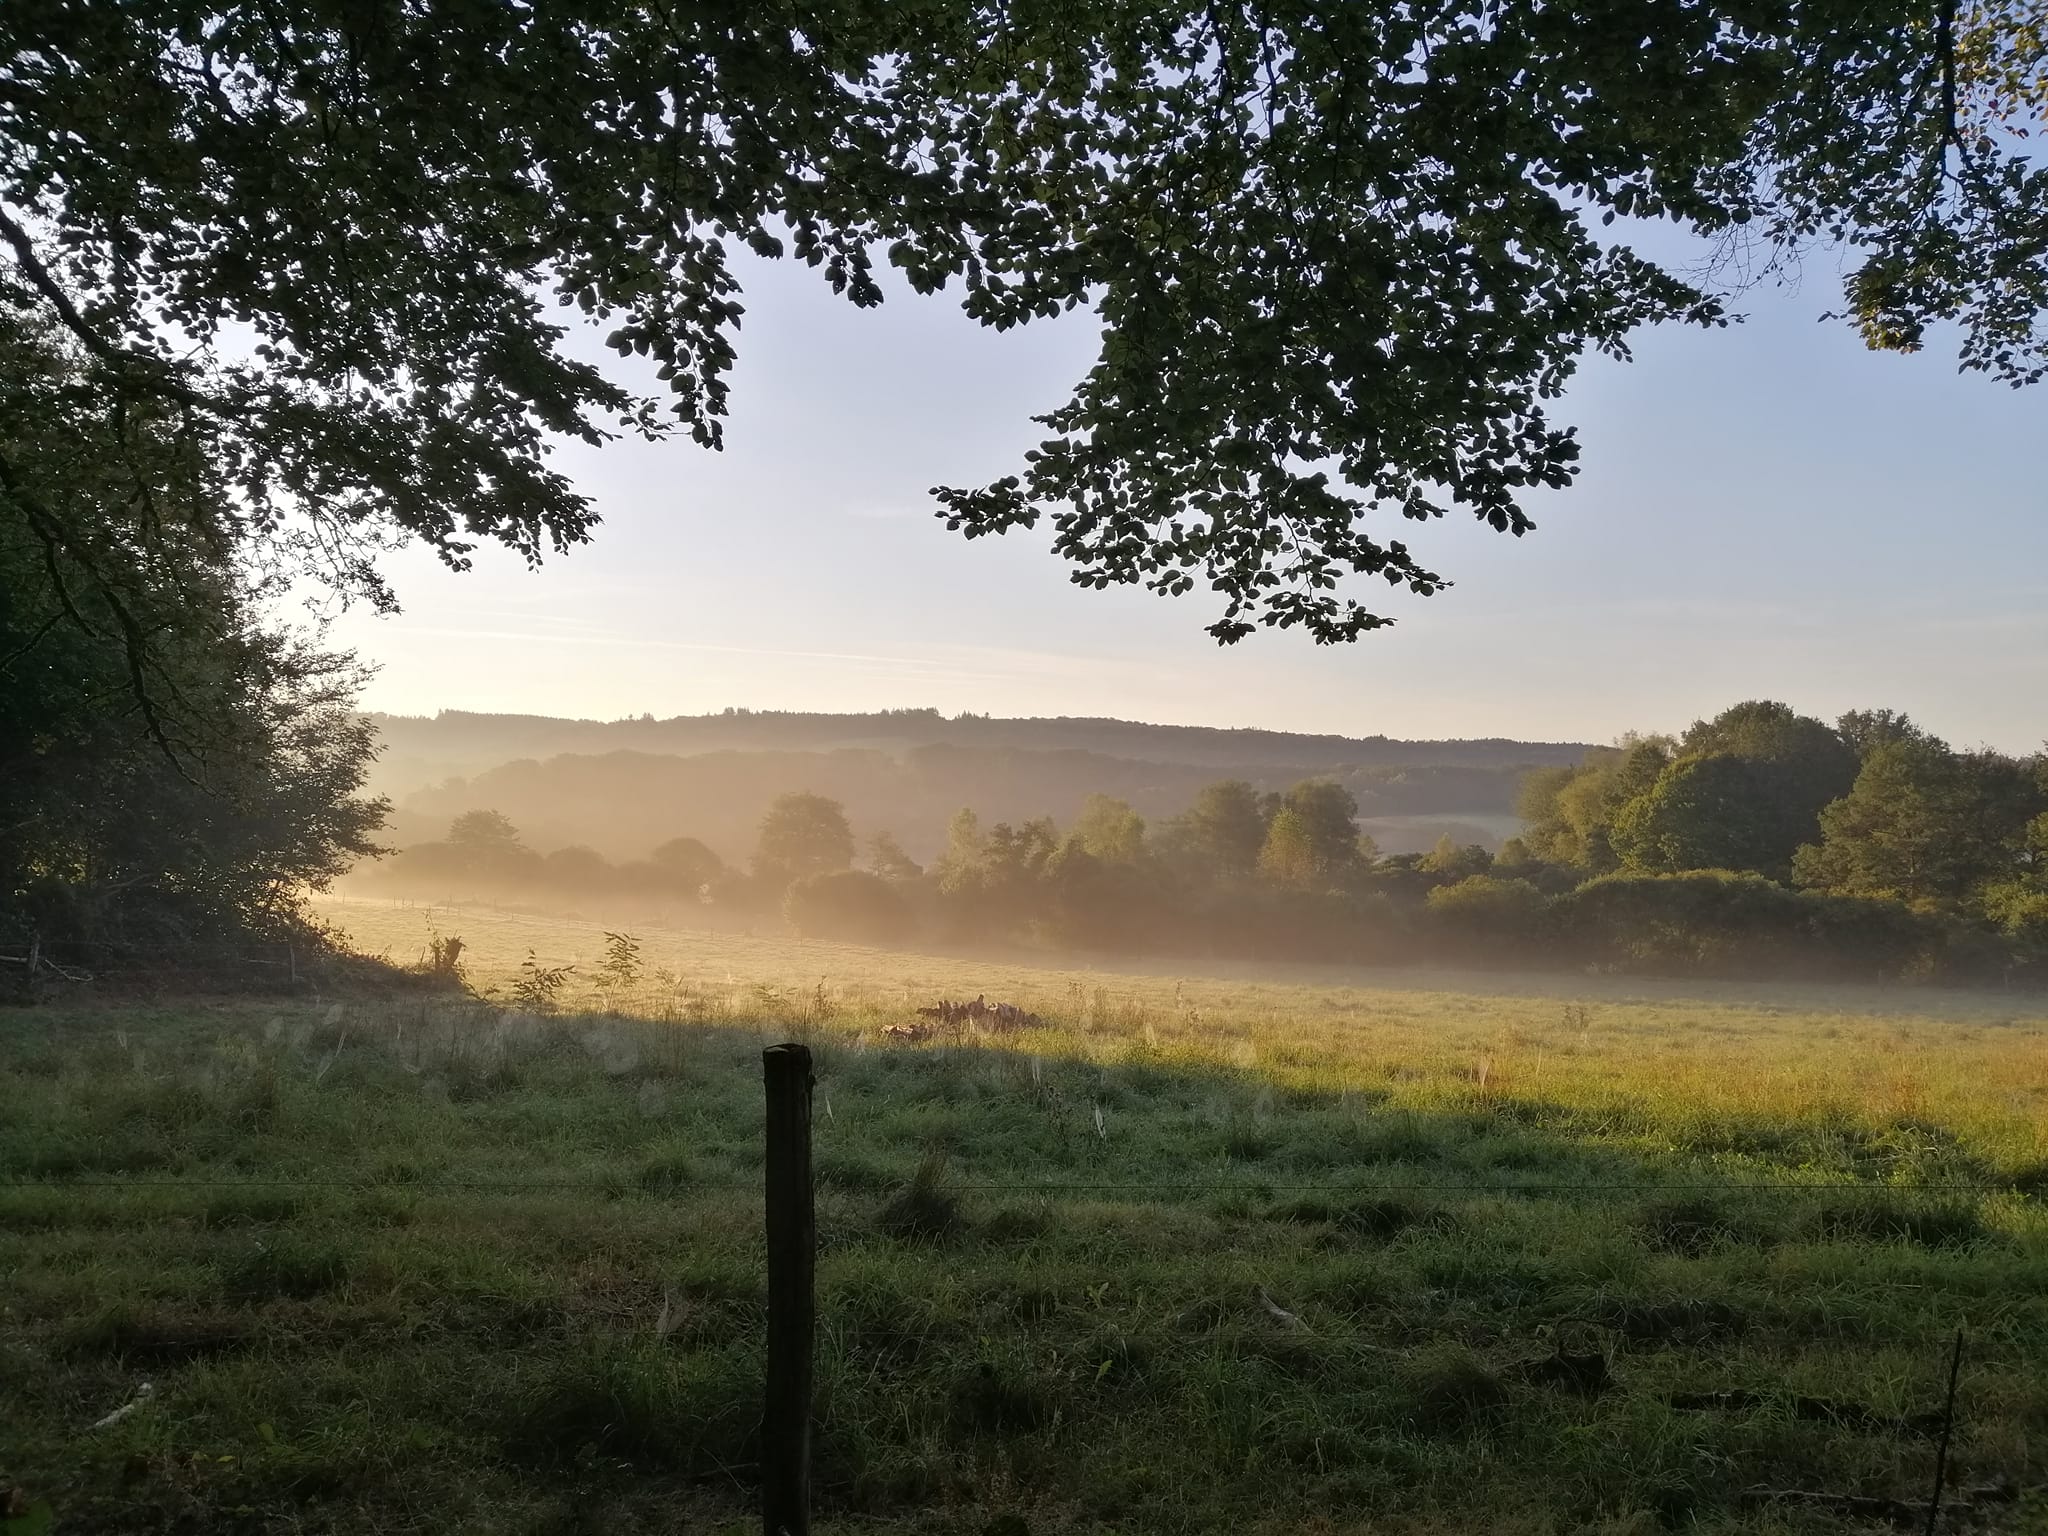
{"type": "Point", "coordinates": [1760, 843]}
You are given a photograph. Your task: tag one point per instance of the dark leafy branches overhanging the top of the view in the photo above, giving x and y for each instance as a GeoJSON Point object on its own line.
{"type": "Point", "coordinates": [1342, 255]}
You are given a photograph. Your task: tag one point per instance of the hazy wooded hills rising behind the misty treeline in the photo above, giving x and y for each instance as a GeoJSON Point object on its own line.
{"type": "Point", "coordinates": [628, 785]}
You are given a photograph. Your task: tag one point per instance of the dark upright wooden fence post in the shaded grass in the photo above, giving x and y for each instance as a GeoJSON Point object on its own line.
{"type": "Point", "coordinates": [792, 1302]}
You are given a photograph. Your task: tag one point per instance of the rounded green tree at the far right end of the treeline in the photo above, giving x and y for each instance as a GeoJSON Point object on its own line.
{"type": "Point", "coordinates": [1926, 824]}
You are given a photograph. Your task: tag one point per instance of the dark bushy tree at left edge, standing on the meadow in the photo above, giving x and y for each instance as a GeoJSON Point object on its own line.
{"type": "Point", "coordinates": [132, 833]}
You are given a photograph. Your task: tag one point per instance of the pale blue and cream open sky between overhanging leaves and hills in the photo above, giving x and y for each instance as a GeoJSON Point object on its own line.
{"type": "Point", "coordinates": [1764, 511]}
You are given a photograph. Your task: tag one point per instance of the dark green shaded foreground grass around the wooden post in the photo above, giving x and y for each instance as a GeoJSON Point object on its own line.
{"type": "Point", "coordinates": [1152, 1291]}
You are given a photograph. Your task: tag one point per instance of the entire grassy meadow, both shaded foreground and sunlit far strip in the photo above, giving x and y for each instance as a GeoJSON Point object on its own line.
{"type": "Point", "coordinates": [1254, 1250]}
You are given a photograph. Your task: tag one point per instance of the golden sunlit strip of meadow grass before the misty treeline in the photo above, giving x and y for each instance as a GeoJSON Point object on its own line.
{"type": "Point", "coordinates": [1973, 1062]}
